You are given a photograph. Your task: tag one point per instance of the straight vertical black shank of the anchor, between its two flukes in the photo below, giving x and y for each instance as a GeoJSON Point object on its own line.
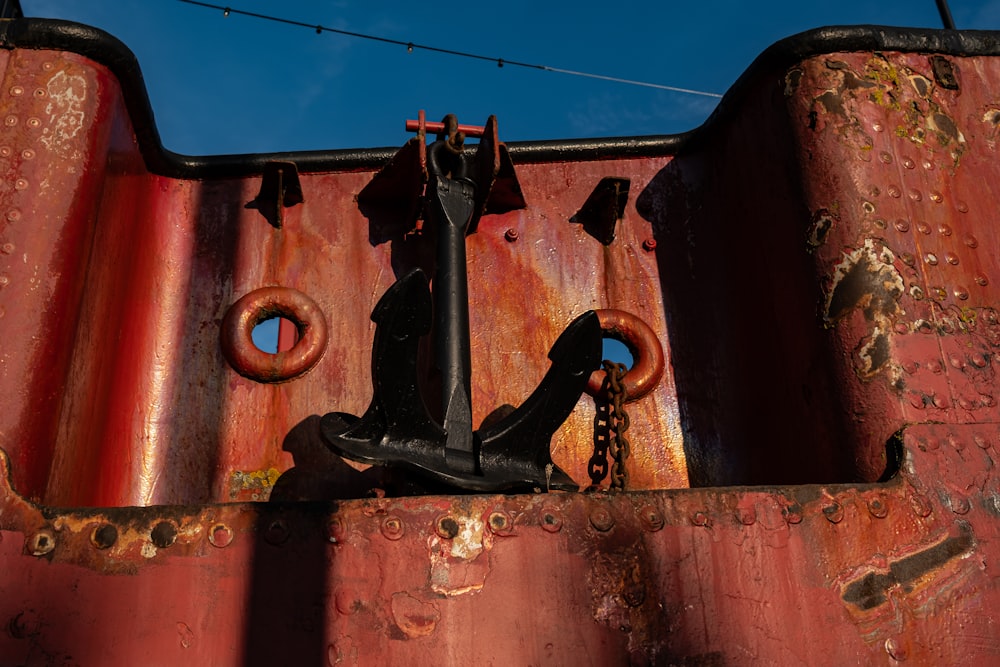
{"type": "Point", "coordinates": [452, 205]}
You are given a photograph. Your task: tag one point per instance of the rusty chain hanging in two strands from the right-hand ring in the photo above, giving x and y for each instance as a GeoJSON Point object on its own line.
{"type": "Point", "coordinates": [610, 424]}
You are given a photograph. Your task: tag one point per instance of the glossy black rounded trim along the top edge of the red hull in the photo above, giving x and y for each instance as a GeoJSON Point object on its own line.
{"type": "Point", "coordinates": [93, 43]}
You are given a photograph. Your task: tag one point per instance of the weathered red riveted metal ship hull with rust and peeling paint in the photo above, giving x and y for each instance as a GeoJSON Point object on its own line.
{"type": "Point", "coordinates": [817, 263]}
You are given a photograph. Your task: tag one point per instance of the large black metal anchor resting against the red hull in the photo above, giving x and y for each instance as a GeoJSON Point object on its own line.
{"type": "Point", "coordinates": [510, 455]}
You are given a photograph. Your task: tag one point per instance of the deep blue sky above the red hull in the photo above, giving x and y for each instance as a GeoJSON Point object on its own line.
{"type": "Point", "coordinates": [241, 85]}
